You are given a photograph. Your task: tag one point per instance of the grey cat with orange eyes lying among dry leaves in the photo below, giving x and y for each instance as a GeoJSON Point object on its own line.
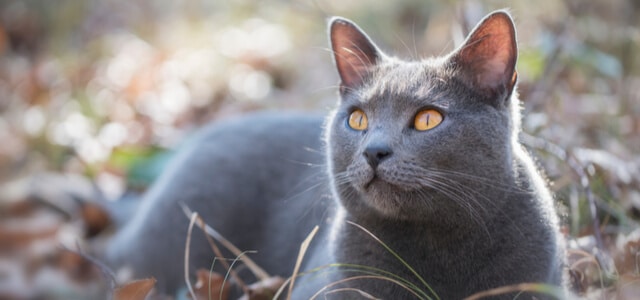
{"type": "Point", "coordinates": [421, 157]}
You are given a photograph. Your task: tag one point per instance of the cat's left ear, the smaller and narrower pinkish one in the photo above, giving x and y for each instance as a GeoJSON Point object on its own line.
{"type": "Point", "coordinates": [354, 53]}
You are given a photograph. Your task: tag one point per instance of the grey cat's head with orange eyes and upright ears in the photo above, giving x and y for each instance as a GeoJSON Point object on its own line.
{"type": "Point", "coordinates": [410, 139]}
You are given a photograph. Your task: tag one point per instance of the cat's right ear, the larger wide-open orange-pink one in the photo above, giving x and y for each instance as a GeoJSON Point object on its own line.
{"type": "Point", "coordinates": [487, 58]}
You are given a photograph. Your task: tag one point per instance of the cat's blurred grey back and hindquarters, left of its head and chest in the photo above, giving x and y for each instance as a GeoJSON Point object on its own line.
{"type": "Point", "coordinates": [264, 169]}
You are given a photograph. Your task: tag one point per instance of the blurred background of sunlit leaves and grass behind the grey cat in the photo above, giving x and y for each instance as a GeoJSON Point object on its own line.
{"type": "Point", "coordinates": [96, 95]}
